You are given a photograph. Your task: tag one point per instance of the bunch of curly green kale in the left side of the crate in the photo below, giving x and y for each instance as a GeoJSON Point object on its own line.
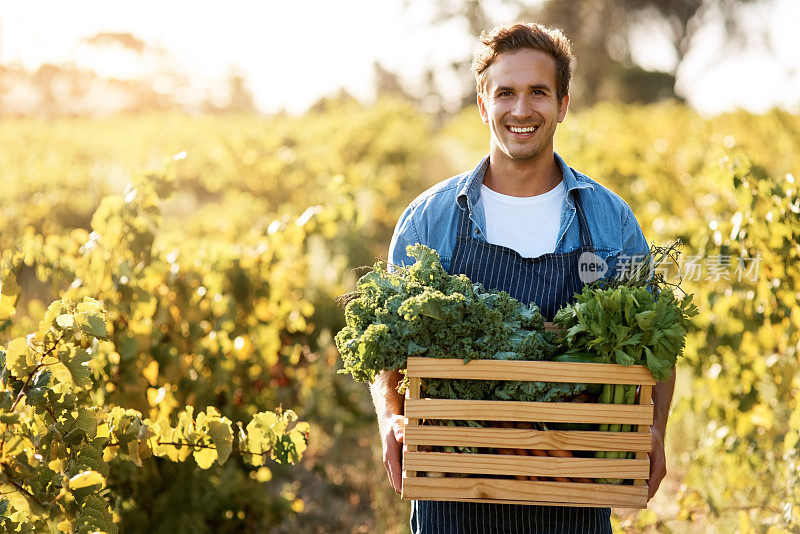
{"type": "Point", "coordinates": [424, 311]}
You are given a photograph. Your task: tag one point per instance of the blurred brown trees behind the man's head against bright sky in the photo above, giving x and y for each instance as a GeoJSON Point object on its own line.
{"type": "Point", "coordinates": [602, 35]}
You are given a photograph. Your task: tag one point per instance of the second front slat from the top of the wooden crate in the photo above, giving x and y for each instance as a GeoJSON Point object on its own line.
{"type": "Point", "coordinates": [552, 412]}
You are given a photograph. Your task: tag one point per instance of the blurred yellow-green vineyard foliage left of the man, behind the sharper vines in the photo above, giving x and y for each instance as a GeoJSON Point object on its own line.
{"type": "Point", "coordinates": [219, 294]}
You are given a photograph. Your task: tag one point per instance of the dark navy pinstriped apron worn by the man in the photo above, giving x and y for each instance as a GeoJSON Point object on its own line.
{"type": "Point", "coordinates": [549, 280]}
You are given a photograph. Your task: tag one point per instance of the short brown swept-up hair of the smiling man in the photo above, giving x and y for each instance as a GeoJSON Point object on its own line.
{"type": "Point", "coordinates": [519, 36]}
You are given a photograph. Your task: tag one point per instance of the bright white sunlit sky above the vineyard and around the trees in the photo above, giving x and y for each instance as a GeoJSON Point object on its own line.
{"type": "Point", "coordinates": [291, 53]}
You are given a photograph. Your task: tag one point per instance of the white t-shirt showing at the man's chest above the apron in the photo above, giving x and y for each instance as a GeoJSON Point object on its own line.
{"type": "Point", "coordinates": [528, 225]}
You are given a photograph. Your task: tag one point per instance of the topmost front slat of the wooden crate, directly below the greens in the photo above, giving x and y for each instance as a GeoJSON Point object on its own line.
{"type": "Point", "coordinates": [585, 373]}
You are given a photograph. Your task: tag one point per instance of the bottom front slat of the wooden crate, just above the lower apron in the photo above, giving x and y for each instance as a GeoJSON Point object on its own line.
{"type": "Point", "coordinates": [529, 491]}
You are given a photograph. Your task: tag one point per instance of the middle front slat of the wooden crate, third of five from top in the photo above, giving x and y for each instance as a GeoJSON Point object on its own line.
{"type": "Point", "coordinates": [514, 438]}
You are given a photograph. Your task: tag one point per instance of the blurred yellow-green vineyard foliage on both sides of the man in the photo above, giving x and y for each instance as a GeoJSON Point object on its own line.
{"type": "Point", "coordinates": [221, 294]}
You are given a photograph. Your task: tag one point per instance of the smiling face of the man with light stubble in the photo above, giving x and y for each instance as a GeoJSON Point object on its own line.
{"type": "Point", "coordinates": [520, 104]}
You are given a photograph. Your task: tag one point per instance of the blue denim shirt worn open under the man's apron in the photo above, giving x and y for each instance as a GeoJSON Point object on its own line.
{"type": "Point", "coordinates": [432, 218]}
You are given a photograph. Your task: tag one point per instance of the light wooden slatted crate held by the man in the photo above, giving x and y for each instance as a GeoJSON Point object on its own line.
{"type": "Point", "coordinates": [509, 490]}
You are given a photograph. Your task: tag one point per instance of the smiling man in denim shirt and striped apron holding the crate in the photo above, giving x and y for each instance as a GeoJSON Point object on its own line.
{"type": "Point", "coordinates": [524, 222]}
